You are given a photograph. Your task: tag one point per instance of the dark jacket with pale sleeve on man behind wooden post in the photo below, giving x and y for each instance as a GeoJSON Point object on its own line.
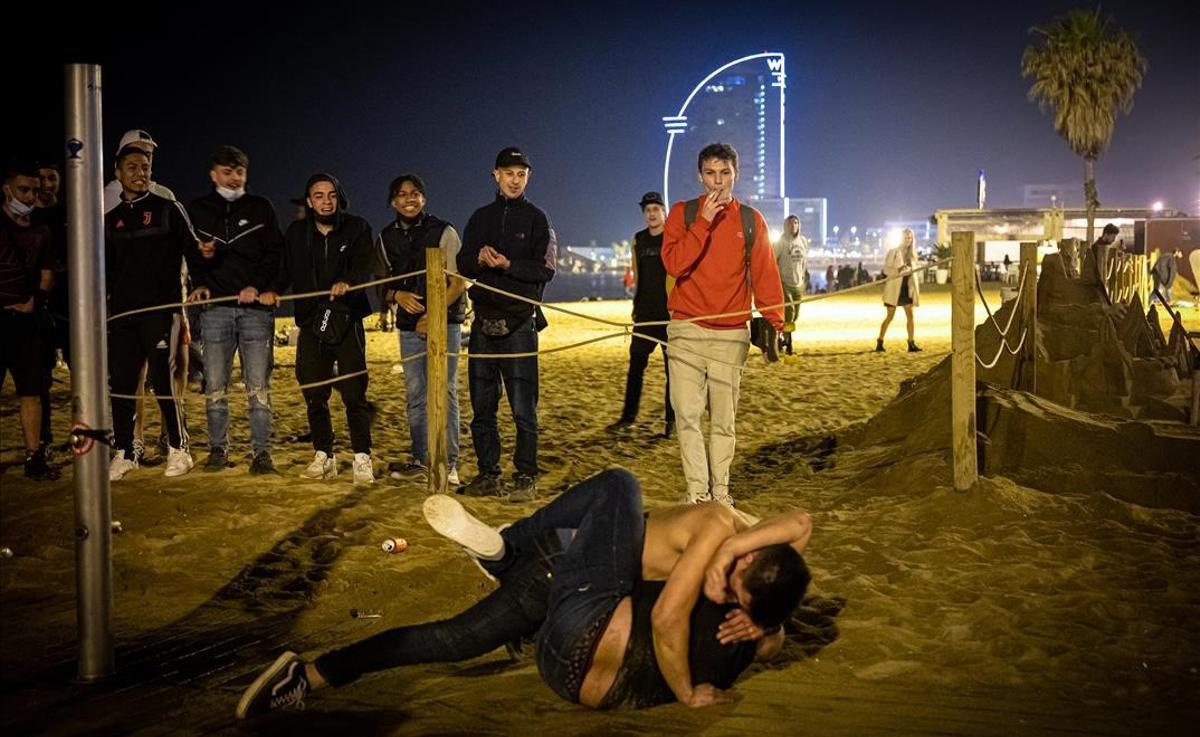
{"type": "Point", "coordinates": [401, 250]}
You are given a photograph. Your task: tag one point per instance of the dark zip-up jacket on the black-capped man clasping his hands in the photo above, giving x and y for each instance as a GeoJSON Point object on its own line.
{"type": "Point", "coordinates": [520, 231]}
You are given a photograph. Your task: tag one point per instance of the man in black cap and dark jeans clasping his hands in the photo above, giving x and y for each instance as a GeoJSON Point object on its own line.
{"type": "Point", "coordinates": [509, 245]}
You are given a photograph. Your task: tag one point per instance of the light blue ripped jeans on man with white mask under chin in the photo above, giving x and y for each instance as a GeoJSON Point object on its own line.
{"type": "Point", "coordinates": [250, 333]}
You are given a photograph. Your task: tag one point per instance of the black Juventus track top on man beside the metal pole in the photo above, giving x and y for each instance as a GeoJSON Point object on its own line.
{"type": "Point", "coordinates": [146, 243]}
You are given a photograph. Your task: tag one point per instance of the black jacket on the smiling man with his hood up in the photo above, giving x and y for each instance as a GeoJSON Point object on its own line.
{"type": "Point", "coordinates": [314, 262]}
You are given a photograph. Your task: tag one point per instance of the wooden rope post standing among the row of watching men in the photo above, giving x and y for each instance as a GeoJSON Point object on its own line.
{"type": "Point", "coordinates": [436, 367]}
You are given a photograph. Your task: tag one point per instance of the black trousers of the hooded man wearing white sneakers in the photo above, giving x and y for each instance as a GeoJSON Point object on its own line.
{"type": "Point", "coordinates": [315, 363]}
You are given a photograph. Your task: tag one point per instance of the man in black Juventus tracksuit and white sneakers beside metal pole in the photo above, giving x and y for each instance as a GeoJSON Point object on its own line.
{"type": "Point", "coordinates": [147, 239]}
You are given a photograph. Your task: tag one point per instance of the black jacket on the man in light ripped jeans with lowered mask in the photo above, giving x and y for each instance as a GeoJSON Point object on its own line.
{"type": "Point", "coordinates": [249, 244]}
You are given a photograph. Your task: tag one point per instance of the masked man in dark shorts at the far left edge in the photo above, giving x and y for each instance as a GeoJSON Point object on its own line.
{"type": "Point", "coordinates": [27, 274]}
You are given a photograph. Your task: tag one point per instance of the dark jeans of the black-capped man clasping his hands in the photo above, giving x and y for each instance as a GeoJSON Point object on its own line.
{"type": "Point", "coordinates": [515, 378]}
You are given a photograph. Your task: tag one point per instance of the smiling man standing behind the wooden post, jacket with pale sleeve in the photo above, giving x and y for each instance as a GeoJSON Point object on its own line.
{"type": "Point", "coordinates": [401, 250]}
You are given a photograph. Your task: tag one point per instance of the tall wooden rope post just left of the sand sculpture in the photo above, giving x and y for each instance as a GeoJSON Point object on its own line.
{"type": "Point", "coordinates": [963, 385]}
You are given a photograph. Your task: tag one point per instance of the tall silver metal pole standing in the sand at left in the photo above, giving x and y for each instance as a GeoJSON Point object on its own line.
{"type": "Point", "coordinates": [89, 359]}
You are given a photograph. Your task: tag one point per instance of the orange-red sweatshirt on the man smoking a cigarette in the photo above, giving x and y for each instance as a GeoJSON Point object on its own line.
{"type": "Point", "coordinates": [709, 262]}
